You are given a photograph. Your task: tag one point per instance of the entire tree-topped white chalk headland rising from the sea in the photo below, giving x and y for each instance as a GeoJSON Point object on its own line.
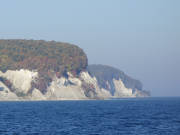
{"type": "Point", "coordinates": [40, 70]}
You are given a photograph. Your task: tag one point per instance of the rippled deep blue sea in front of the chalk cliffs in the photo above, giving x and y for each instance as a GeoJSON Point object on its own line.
{"type": "Point", "coordinates": [146, 116]}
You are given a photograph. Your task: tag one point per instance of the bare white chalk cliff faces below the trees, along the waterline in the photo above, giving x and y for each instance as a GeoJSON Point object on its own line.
{"type": "Point", "coordinates": [65, 88]}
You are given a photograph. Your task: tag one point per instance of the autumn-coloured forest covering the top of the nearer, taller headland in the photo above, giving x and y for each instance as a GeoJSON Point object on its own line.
{"type": "Point", "coordinates": [45, 57]}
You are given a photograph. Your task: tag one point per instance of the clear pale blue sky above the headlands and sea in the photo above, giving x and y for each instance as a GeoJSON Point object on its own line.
{"type": "Point", "coordinates": [139, 37]}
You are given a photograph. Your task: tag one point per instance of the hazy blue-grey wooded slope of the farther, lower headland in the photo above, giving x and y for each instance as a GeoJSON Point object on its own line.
{"type": "Point", "coordinates": [106, 77]}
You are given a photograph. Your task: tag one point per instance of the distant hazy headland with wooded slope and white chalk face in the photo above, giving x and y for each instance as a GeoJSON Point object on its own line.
{"type": "Point", "coordinates": [117, 82]}
